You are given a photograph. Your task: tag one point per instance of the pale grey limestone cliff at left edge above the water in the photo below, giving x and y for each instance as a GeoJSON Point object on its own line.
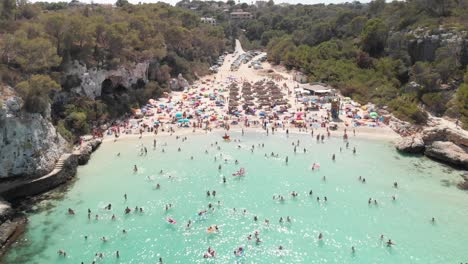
{"type": "Point", "coordinates": [29, 143]}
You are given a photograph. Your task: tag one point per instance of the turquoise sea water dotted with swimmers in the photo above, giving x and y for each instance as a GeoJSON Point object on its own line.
{"type": "Point", "coordinates": [426, 190]}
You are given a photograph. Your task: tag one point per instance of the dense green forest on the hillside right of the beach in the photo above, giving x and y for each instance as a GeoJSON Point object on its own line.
{"type": "Point", "coordinates": [404, 55]}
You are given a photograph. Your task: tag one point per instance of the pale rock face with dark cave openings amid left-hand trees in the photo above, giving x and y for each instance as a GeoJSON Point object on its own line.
{"type": "Point", "coordinates": [91, 82]}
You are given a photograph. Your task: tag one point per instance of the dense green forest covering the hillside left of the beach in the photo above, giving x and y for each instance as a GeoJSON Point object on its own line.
{"type": "Point", "coordinates": [39, 41]}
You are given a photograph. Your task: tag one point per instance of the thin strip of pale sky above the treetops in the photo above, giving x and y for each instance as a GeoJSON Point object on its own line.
{"type": "Point", "coordinates": [173, 2]}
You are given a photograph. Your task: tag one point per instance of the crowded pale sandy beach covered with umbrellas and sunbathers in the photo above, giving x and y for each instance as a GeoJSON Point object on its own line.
{"type": "Point", "coordinates": [217, 88]}
